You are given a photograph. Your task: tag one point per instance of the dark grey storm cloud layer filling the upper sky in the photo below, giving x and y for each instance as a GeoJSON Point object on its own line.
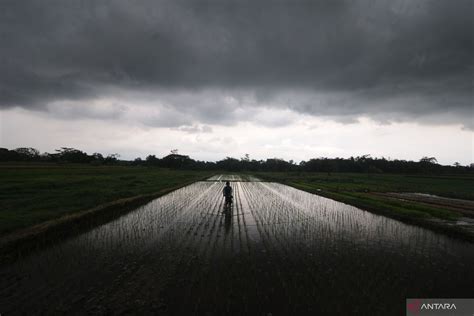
{"type": "Point", "coordinates": [357, 54]}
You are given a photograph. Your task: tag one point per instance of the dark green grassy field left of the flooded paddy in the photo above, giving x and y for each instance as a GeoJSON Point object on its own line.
{"type": "Point", "coordinates": [33, 193]}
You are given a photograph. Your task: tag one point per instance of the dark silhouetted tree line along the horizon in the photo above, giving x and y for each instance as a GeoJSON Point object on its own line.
{"type": "Point", "coordinates": [359, 164]}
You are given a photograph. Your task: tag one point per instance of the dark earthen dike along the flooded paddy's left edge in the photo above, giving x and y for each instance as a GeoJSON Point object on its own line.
{"type": "Point", "coordinates": [19, 243]}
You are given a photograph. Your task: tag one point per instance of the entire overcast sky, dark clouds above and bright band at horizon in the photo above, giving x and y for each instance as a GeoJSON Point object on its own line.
{"type": "Point", "coordinates": [288, 79]}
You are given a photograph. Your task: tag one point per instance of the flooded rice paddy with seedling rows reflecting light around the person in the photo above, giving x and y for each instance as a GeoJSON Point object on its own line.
{"type": "Point", "coordinates": [279, 251]}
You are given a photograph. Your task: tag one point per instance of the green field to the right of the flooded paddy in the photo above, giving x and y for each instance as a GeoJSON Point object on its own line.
{"type": "Point", "coordinates": [357, 189]}
